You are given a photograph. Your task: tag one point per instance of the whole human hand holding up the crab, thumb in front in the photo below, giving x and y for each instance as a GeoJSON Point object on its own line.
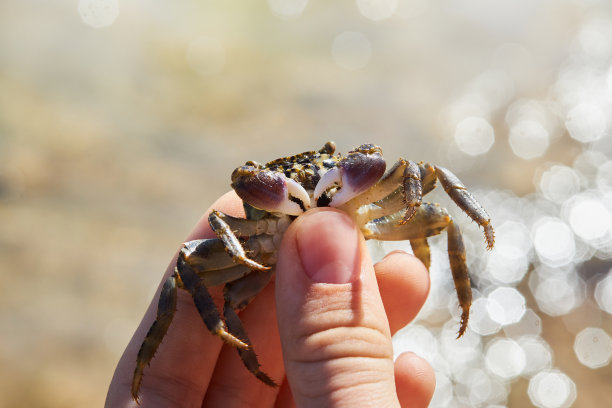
{"type": "Point", "coordinates": [324, 333]}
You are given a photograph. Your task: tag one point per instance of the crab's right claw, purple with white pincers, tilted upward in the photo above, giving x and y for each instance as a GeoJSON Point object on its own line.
{"type": "Point", "coordinates": [354, 174]}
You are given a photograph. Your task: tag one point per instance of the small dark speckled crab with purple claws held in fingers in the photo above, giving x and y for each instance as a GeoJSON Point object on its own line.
{"type": "Point", "coordinates": [385, 205]}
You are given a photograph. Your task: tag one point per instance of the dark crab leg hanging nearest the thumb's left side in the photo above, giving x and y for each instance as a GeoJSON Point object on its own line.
{"type": "Point", "coordinates": [237, 296]}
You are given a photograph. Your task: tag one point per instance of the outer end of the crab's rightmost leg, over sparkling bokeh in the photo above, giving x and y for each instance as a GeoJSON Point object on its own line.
{"type": "Point", "coordinates": [459, 194]}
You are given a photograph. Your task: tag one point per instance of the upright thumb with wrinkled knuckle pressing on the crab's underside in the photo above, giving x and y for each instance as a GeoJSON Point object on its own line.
{"type": "Point", "coordinates": [333, 327]}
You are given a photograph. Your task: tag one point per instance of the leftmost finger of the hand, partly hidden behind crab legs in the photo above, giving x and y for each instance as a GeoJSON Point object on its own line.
{"type": "Point", "coordinates": [181, 369]}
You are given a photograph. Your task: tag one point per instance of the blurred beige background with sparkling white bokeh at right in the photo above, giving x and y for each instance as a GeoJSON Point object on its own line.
{"type": "Point", "coordinates": [120, 123]}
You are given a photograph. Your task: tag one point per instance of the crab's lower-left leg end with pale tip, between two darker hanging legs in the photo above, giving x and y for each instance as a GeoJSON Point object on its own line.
{"type": "Point", "coordinates": [205, 304]}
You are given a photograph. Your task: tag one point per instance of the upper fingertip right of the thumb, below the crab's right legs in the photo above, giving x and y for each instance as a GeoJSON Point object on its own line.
{"type": "Point", "coordinates": [403, 282]}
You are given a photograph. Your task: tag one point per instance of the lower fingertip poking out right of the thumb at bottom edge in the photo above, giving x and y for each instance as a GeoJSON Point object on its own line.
{"type": "Point", "coordinates": [415, 381]}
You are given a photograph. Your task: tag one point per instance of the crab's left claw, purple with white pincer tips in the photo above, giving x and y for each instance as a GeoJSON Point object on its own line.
{"type": "Point", "coordinates": [270, 190]}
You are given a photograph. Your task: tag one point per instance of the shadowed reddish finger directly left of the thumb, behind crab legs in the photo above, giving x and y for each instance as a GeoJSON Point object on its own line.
{"type": "Point", "coordinates": [232, 385]}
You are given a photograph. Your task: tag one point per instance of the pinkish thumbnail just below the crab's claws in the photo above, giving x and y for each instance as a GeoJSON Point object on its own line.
{"type": "Point", "coordinates": [328, 245]}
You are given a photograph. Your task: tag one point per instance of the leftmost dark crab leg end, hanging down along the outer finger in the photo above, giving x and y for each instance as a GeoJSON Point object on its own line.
{"type": "Point", "coordinates": [165, 312]}
